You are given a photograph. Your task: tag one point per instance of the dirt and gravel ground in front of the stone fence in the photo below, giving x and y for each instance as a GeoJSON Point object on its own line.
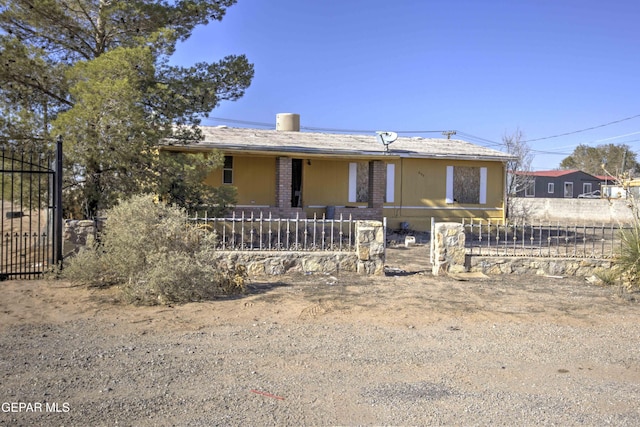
{"type": "Point", "coordinates": [405, 348]}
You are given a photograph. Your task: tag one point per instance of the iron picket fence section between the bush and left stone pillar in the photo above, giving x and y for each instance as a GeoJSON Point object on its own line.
{"type": "Point", "coordinates": [260, 233]}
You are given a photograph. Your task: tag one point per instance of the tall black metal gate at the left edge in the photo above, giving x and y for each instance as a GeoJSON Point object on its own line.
{"type": "Point", "coordinates": [31, 212]}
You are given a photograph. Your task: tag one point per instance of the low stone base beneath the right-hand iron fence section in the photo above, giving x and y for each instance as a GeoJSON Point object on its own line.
{"type": "Point", "coordinates": [537, 266]}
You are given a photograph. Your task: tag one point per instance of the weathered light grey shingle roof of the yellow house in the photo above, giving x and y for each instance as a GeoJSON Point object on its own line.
{"type": "Point", "coordinates": [330, 144]}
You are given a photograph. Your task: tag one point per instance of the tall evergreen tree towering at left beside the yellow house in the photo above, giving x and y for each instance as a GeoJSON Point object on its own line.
{"type": "Point", "coordinates": [97, 73]}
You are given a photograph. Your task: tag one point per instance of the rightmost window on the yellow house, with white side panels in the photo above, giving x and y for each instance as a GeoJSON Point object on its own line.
{"type": "Point", "coordinates": [466, 184]}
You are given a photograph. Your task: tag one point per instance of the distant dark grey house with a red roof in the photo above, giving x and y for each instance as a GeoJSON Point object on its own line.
{"type": "Point", "coordinates": [559, 184]}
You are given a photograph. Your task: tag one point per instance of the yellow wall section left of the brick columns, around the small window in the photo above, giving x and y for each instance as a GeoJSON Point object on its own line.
{"type": "Point", "coordinates": [254, 177]}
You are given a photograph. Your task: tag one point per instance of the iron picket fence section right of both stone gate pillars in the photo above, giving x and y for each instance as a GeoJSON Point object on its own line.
{"type": "Point", "coordinates": [483, 237]}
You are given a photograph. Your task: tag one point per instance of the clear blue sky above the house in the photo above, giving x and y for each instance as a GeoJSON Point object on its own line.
{"type": "Point", "coordinates": [481, 67]}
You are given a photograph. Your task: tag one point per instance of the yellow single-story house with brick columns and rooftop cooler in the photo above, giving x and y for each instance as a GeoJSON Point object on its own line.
{"type": "Point", "coordinates": [288, 173]}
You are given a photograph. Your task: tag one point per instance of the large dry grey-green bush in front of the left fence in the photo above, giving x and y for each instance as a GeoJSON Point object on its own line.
{"type": "Point", "coordinates": [155, 255]}
